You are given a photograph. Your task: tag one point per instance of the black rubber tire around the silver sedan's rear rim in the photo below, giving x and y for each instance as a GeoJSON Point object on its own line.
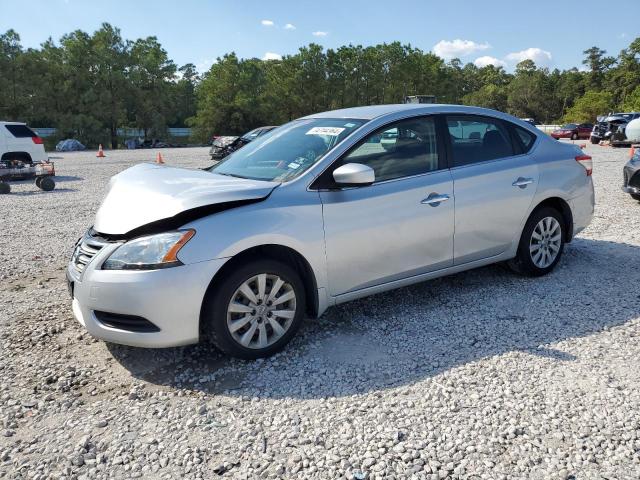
{"type": "Point", "coordinates": [523, 262]}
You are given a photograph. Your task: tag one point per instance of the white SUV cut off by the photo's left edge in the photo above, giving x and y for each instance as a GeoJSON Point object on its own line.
{"type": "Point", "coordinates": [19, 142]}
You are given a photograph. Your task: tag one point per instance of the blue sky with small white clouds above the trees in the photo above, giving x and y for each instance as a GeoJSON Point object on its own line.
{"type": "Point", "coordinates": [500, 32]}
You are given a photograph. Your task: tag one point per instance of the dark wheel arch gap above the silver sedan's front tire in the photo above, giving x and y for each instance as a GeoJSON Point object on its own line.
{"type": "Point", "coordinates": [284, 254]}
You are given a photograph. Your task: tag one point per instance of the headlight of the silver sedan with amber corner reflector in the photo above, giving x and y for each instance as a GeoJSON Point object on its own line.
{"type": "Point", "coordinates": [149, 253]}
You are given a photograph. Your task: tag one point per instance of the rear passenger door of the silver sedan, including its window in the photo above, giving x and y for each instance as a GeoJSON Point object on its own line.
{"type": "Point", "coordinates": [494, 184]}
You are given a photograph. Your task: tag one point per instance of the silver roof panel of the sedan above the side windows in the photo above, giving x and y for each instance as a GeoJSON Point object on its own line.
{"type": "Point", "coordinates": [375, 111]}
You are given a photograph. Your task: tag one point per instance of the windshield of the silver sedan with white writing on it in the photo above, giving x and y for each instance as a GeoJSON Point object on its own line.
{"type": "Point", "coordinates": [287, 151]}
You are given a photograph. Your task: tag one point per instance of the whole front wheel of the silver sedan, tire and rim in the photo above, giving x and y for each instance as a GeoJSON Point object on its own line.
{"type": "Point", "coordinates": [255, 310]}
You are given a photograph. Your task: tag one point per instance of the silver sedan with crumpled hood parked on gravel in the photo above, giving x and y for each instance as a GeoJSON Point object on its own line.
{"type": "Point", "coordinates": [325, 209]}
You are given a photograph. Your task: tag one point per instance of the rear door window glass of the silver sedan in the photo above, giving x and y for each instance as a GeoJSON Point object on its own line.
{"type": "Point", "coordinates": [477, 139]}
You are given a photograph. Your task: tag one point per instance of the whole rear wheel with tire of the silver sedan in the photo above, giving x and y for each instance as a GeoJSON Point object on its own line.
{"type": "Point", "coordinates": [541, 244]}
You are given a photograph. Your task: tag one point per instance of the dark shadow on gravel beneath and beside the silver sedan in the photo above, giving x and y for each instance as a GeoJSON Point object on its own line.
{"type": "Point", "coordinates": [403, 336]}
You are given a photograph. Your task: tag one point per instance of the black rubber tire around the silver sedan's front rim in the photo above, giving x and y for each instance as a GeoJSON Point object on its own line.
{"type": "Point", "coordinates": [218, 297]}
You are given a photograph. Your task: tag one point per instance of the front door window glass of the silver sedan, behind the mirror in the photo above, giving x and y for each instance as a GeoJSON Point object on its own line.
{"type": "Point", "coordinates": [402, 149]}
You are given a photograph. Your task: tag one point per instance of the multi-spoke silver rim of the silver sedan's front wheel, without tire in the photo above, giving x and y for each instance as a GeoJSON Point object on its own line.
{"type": "Point", "coordinates": [261, 311]}
